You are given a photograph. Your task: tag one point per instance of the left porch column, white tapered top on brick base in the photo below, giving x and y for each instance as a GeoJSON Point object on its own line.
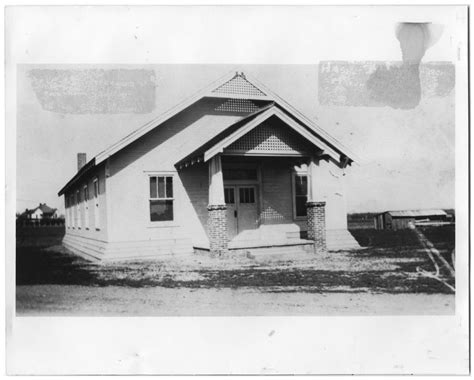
{"type": "Point", "coordinates": [217, 221]}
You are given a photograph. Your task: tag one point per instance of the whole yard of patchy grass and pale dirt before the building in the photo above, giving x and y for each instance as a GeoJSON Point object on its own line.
{"type": "Point", "coordinates": [383, 279]}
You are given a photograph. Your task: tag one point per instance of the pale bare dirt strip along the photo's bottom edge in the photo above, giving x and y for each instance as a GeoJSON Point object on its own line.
{"type": "Point", "coordinates": [76, 300]}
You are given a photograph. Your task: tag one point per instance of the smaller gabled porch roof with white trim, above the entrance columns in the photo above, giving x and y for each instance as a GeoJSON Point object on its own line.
{"type": "Point", "coordinates": [234, 132]}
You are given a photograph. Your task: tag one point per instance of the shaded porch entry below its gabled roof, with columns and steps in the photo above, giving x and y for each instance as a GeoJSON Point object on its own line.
{"type": "Point", "coordinates": [258, 203]}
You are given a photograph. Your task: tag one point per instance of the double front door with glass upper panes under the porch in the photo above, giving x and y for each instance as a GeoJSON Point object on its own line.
{"type": "Point", "coordinates": [242, 209]}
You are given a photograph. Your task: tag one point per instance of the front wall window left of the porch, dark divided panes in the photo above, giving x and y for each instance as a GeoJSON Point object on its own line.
{"type": "Point", "coordinates": [161, 198]}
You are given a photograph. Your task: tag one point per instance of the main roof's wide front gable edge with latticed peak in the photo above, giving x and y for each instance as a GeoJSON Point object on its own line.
{"type": "Point", "coordinates": [232, 85]}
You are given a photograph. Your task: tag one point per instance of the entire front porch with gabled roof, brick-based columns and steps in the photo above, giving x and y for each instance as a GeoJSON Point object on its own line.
{"type": "Point", "coordinates": [268, 183]}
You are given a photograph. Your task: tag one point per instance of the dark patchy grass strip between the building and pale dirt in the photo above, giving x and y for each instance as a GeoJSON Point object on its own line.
{"type": "Point", "coordinates": [56, 266]}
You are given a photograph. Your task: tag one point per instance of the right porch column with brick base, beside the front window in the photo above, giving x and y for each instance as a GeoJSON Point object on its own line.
{"type": "Point", "coordinates": [315, 207]}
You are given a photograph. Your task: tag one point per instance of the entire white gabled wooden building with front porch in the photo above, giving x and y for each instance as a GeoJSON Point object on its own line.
{"type": "Point", "coordinates": [233, 167]}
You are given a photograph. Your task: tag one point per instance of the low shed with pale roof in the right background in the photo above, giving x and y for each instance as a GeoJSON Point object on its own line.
{"type": "Point", "coordinates": [398, 220]}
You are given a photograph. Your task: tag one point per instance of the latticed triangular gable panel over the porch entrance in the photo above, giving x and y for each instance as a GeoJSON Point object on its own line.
{"type": "Point", "coordinates": [270, 138]}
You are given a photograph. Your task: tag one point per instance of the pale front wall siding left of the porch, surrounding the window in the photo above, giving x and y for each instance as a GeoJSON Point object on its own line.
{"type": "Point", "coordinates": [156, 153]}
